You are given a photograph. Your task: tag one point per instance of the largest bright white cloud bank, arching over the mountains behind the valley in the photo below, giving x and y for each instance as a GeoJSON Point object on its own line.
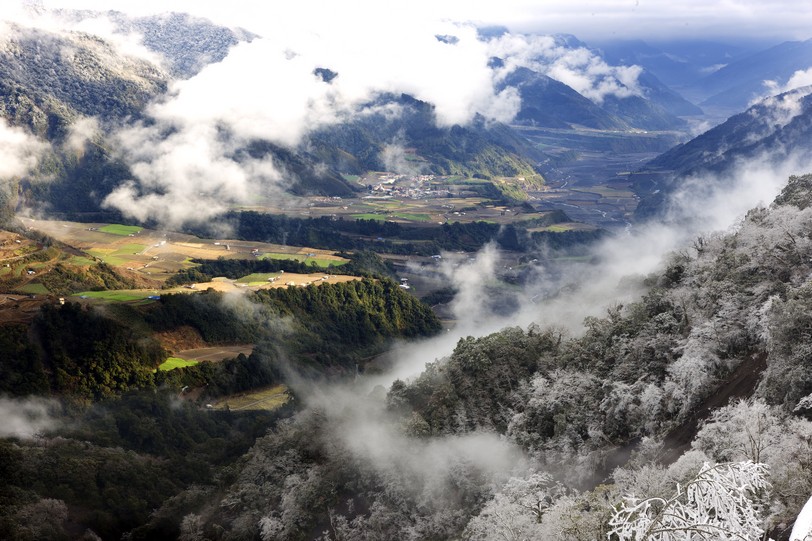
{"type": "Point", "coordinates": [267, 89]}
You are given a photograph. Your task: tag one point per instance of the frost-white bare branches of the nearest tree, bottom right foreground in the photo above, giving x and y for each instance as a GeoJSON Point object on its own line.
{"type": "Point", "coordinates": [719, 504]}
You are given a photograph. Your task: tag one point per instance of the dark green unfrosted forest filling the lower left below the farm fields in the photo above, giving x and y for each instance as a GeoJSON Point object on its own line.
{"type": "Point", "coordinates": [120, 443]}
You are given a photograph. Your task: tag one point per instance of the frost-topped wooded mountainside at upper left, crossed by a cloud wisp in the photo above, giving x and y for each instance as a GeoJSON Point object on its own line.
{"type": "Point", "coordinates": [65, 89]}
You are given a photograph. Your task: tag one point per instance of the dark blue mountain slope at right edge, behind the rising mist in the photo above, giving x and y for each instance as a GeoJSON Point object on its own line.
{"type": "Point", "coordinates": [773, 130]}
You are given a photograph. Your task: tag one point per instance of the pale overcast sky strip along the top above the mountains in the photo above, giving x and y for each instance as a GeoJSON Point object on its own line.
{"type": "Point", "coordinates": [587, 19]}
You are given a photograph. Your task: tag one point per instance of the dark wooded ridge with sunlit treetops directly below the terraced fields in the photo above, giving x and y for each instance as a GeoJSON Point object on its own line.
{"type": "Point", "coordinates": [94, 353]}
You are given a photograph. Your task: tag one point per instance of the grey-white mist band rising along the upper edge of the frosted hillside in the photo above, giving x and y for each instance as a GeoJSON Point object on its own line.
{"type": "Point", "coordinates": [705, 203]}
